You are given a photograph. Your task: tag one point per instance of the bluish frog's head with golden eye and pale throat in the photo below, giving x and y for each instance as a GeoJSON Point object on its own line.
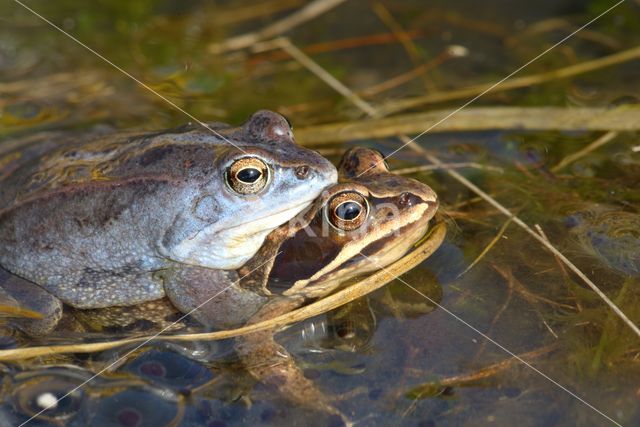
{"type": "Point", "coordinates": [261, 179]}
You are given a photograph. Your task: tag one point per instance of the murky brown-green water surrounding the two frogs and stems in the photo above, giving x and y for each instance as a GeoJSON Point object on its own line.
{"type": "Point", "coordinates": [406, 362]}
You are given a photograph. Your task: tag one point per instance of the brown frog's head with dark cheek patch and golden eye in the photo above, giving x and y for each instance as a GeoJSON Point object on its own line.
{"type": "Point", "coordinates": [364, 223]}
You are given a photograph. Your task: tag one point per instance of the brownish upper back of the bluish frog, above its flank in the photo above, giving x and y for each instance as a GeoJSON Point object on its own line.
{"type": "Point", "coordinates": [42, 165]}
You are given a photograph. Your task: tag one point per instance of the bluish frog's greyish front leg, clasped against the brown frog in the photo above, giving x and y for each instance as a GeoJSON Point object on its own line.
{"type": "Point", "coordinates": [212, 297]}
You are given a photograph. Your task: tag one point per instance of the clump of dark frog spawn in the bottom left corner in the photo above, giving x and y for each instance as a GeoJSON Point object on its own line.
{"type": "Point", "coordinates": [149, 393]}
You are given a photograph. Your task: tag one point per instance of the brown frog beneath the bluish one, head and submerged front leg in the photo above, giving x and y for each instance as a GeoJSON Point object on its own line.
{"type": "Point", "coordinates": [364, 223]}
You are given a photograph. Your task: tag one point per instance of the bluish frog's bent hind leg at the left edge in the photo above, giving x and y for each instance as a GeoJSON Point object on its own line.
{"type": "Point", "coordinates": [37, 312]}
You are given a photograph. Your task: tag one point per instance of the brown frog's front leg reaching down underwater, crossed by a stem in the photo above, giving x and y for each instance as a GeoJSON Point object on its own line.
{"type": "Point", "coordinates": [272, 365]}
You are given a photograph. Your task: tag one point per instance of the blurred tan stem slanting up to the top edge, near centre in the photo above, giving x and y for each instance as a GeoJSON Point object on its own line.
{"type": "Point", "coordinates": [310, 11]}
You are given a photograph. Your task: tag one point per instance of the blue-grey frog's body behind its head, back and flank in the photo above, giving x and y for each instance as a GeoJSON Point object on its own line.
{"type": "Point", "coordinates": [77, 208]}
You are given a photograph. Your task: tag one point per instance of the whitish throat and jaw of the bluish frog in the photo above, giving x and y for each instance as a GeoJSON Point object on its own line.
{"type": "Point", "coordinates": [242, 241]}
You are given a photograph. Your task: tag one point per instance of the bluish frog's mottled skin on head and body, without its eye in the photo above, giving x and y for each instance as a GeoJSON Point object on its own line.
{"type": "Point", "coordinates": [92, 219]}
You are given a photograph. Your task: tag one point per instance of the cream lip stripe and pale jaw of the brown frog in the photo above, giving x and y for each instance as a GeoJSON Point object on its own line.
{"type": "Point", "coordinates": [352, 249]}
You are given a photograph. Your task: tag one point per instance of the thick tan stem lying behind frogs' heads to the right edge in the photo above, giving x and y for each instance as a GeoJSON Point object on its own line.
{"type": "Point", "coordinates": [624, 118]}
